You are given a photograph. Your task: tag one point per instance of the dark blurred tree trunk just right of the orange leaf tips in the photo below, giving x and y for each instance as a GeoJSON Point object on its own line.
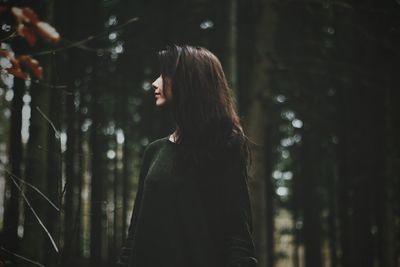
{"type": "Point", "coordinates": [69, 67]}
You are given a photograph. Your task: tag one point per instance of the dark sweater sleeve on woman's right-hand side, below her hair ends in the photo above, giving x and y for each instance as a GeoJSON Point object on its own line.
{"type": "Point", "coordinates": [238, 245]}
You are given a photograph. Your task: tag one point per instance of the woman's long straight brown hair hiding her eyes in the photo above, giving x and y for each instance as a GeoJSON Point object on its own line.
{"type": "Point", "coordinates": [202, 106]}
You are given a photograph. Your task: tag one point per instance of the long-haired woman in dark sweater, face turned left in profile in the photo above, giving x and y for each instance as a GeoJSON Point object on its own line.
{"type": "Point", "coordinates": [192, 207]}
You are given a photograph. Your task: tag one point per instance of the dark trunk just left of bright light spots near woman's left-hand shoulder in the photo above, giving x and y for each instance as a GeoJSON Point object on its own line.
{"type": "Point", "coordinates": [98, 148]}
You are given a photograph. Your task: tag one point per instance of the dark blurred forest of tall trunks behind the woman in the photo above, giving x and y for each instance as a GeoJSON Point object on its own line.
{"type": "Point", "coordinates": [317, 88]}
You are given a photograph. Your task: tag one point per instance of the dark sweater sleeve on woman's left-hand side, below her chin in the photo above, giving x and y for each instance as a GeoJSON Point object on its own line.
{"type": "Point", "coordinates": [126, 250]}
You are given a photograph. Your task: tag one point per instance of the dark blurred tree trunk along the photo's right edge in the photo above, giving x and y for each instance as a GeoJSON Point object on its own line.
{"type": "Point", "coordinates": [383, 115]}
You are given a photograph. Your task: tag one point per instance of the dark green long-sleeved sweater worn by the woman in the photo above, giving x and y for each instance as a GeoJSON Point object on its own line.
{"type": "Point", "coordinates": [197, 218]}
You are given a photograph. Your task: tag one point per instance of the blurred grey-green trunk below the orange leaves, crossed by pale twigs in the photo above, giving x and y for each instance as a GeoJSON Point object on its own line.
{"type": "Point", "coordinates": [35, 239]}
